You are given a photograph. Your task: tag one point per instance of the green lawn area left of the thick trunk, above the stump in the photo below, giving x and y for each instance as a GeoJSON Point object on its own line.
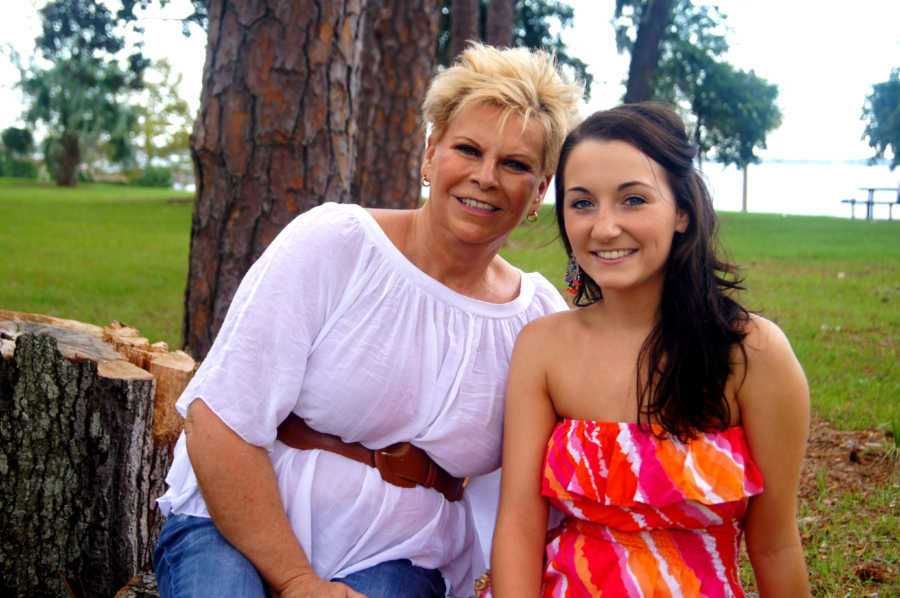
{"type": "Point", "coordinates": [96, 253]}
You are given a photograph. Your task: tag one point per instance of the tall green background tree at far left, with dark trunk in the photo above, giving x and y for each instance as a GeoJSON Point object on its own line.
{"type": "Point", "coordinates": [80, 97]}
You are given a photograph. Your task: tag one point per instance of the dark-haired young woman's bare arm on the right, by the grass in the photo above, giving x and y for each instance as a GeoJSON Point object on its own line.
{"type": "Point", "coordinates": [774, 402]}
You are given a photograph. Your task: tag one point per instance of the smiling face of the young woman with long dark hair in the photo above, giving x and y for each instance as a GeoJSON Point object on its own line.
{"type": "Point", "coordinates": [620, 214]}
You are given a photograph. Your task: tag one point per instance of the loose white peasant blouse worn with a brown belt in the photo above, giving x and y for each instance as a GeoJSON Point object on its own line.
{"type": "Point", "coordinates": [334, 324]}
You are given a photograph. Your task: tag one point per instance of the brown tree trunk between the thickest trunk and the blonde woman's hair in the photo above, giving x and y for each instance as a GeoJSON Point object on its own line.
{"type": "Point", "coordinates": [400, 37]}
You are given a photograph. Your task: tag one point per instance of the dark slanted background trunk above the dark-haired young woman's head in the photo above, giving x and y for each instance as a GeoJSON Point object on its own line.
{"type": "Point", "coordinates": [645, 54]}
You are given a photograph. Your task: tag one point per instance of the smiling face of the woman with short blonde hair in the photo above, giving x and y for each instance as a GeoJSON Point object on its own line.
{"type": "Point", "coordinates": [485, 179]}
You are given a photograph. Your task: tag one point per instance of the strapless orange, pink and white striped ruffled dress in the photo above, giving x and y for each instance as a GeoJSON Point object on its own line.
{"type": "Point", "coordinates": [644, 516]}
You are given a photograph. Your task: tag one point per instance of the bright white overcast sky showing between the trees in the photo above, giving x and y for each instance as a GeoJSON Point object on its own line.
{"type": "Point", "coordinates": [824, 55]}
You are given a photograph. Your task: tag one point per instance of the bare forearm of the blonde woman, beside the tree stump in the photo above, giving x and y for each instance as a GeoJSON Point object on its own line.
{"type": "Point", "coordinates": [239, 486]}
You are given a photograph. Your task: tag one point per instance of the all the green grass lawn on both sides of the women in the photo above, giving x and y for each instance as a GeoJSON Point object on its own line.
{"type": "Point", "coordinates": [99, 253]}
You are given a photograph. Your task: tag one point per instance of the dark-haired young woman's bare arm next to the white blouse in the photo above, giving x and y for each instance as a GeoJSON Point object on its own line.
{"type": "Point", "coordinates": [520, 534]}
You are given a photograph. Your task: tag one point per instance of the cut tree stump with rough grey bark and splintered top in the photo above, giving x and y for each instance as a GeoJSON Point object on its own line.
{"type": "Point", "coordinates": [87, 429]}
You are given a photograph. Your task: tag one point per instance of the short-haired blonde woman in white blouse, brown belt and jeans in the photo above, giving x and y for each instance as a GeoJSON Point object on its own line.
{"type": "Point", "coordinates": [358, 377]}
